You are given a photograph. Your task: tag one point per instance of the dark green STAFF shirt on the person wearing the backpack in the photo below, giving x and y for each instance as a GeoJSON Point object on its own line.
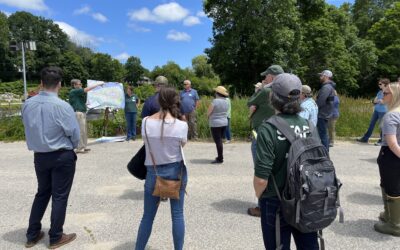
{"type": "Point", "coordinates": [272, 149]}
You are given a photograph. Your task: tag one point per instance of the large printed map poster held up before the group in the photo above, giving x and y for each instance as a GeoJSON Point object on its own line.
{"type": "Point", "coordinates": [111, 95]}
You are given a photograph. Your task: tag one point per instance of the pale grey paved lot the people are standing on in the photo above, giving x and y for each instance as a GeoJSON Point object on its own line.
{"type": "Point", "coordinates": [106, 203]}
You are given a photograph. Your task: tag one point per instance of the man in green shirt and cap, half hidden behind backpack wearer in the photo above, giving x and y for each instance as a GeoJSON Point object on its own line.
{"type": "Point", "coordinates": [261, 109]}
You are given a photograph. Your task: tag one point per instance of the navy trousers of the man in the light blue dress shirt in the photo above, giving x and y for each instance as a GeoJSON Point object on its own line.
{"type": "Point", "coordinates": [55, 173]}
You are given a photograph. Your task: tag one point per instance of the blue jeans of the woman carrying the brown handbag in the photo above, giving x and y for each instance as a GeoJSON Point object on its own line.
{"type": "Point", "coordinates": [167, 171]}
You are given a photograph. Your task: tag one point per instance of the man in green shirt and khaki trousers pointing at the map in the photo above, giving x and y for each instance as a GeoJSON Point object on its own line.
{"type": "Point", "coordinates": [77, 99]}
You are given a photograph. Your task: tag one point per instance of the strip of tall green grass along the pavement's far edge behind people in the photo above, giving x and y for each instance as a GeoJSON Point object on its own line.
{"type": "Point", "coordinates": [354, 119]}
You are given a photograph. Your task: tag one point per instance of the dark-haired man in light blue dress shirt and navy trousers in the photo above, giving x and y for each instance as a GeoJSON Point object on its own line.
{"type": "Point", "coordinates": [52, 132]}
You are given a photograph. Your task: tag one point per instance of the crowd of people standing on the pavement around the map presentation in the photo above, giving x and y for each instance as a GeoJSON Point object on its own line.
{"type": "Point", "coordinates": [52, 129]}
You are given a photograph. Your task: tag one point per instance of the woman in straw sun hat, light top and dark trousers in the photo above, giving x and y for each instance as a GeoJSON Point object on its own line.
{"type": "Point", "coordinates": [217, 114]}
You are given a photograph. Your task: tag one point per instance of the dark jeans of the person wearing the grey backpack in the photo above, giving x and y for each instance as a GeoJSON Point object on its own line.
{"type": "Point", "coordinates": [304, 241]}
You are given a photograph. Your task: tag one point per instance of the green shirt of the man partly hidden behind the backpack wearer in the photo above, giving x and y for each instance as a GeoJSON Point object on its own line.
{"type": "Point", "coordinates": [264, 109]}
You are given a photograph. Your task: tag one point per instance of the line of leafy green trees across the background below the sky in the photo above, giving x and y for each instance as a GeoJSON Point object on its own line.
{"type": "Point", "coordinates": [359, 43]}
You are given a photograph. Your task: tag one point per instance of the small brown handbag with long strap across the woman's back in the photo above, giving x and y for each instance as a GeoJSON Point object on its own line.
{"type": "Point", "coordinates": [164, 188]}
